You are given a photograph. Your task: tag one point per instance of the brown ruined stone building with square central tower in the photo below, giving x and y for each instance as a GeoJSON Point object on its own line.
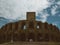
{"type": "Point", "coordinates": [29, 30]}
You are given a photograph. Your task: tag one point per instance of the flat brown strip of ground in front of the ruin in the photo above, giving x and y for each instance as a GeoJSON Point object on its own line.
{"type": "Point", "coordinates": [32, 43]}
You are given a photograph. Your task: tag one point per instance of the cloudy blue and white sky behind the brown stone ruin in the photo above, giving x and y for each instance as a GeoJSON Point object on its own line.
{"type": "Point", "coordinates": [14, 10]}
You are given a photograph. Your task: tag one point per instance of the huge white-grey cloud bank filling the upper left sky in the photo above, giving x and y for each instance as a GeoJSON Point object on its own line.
{"type": "Point", "coordinates": [16, 9]}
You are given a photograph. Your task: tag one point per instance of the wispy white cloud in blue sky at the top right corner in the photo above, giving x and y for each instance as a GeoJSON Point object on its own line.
{"type": "Point", "coordinates": [54, 7]}
